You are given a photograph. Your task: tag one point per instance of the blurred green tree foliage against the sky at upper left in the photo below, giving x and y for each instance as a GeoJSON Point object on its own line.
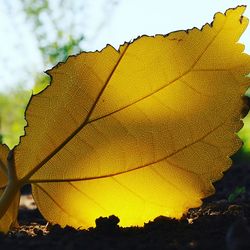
{"type": "Point", "coordinates": [65, 41]}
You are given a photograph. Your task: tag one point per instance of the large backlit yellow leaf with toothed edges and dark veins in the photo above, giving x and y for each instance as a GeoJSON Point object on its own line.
{"type": "Point", "coordinates": [139, 132]}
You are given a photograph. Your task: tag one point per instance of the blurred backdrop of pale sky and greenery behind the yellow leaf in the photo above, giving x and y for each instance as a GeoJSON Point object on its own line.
{"type": "Point", "coordinates": [37, 34]}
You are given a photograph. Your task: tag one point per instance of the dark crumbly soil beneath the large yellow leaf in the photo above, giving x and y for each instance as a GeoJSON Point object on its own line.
{"type": "Point", "coordinates": [218, 224]}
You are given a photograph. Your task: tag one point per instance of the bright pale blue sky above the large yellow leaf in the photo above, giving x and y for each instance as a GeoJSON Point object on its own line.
{"type": "Point", "coordinates": [20, 58]}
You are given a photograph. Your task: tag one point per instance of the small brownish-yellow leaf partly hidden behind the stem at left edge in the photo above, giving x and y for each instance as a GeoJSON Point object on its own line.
{"type": "Point", "coordinates": [10, 218]}
